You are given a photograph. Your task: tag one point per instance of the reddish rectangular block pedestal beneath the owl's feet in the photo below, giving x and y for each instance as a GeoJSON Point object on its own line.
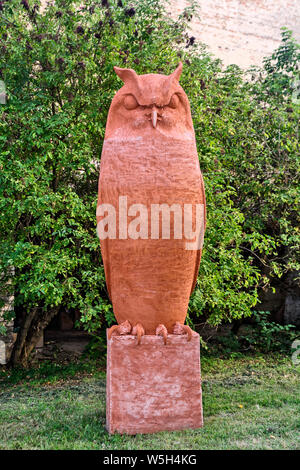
{"type": "Point", "coordinates": [153, 387]}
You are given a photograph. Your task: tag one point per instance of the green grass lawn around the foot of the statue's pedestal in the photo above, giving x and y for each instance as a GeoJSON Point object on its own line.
{"type": "Point", "coordinates": [249, 403]}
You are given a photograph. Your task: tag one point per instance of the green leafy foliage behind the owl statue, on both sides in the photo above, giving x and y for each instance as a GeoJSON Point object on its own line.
{"type": "Point", "coordinates": [57, 66]}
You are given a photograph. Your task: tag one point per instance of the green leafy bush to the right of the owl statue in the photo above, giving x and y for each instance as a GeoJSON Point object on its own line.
{"type": "Point", "coordinates": [247, 135]}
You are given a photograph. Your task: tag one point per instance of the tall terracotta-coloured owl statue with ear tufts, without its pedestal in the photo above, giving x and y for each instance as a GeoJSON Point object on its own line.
{"type": "Point", "coordinates": [149, 164]}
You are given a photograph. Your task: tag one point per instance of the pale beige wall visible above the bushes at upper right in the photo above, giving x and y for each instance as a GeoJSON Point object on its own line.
{"type": "Point", "coordinates": [243, 31]}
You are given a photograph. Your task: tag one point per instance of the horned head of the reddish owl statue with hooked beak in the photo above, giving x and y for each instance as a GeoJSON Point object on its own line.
{"type": "Point", "coordinates": [149, 104]}
